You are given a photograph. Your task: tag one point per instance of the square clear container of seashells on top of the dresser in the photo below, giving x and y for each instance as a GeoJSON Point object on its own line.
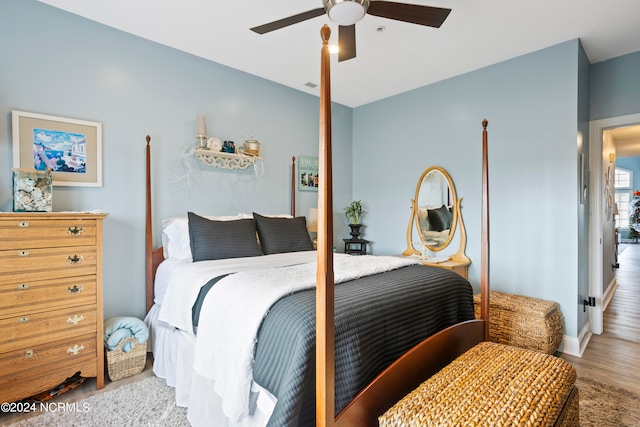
{"type": "Point", "coordinates": [32, 190]}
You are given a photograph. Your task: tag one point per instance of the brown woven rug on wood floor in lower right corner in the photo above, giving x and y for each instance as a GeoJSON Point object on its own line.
{"type": "Point", "coordinates": [602, 405]}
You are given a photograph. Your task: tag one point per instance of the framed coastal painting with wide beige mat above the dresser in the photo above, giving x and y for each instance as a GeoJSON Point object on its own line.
{"type": "Point", "coordinates": [71, 148]}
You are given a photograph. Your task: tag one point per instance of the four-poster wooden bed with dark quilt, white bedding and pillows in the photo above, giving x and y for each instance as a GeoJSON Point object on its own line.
{"type": "Point", "coordinates": [350, 348]}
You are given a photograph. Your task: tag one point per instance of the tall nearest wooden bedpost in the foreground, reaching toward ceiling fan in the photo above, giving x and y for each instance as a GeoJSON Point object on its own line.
{"type": "Point", "coordinates": [325, 402]}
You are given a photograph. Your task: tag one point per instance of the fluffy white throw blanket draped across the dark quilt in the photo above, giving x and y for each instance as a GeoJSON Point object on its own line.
{"type": "Point", "coordinates": [233, 311]}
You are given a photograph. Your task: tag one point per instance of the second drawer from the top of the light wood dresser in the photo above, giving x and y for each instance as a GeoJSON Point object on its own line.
{"type": "Point", "coordinates": [20, 265]}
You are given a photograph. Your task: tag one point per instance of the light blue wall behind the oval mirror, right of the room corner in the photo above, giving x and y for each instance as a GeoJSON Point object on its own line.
{"type": "Point", "coordinates": [531, 103]}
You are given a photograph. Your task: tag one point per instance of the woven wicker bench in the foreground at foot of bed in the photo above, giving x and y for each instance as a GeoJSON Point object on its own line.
{"type": "Point", "coordinates": [493, 385]}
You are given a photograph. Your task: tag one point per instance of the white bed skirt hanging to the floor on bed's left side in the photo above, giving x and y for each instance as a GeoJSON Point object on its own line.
{"type": "Point", "coordinates": [173, 351]}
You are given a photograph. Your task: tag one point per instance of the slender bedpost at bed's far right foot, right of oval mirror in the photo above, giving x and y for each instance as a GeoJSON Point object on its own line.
{"type": "Point", "coordinates": [484, 255]}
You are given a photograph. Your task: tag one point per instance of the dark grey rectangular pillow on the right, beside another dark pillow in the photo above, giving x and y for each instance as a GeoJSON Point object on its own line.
{"type": "Point", "coordinates": [279, 235]}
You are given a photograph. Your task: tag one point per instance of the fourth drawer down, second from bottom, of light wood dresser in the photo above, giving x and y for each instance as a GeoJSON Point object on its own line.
{"type": "Point", "coordinates": [34, 328]}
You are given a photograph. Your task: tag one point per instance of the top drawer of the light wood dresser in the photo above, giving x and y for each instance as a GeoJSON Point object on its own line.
{"type": "Point", "coordinates": [29, 233]}
